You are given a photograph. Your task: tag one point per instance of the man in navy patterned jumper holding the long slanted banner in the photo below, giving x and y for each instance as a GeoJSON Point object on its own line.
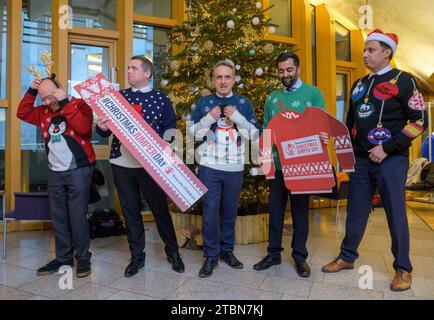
{"type": "Point", "coordinates": [130, 177]}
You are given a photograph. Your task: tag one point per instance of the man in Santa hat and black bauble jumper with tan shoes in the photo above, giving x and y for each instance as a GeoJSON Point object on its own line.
{"type": "Point", "coordinates": [386, 113]}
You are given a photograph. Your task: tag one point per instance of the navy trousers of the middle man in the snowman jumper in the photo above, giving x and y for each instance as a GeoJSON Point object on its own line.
{"type": "Point", "coordinates": [220, 207]}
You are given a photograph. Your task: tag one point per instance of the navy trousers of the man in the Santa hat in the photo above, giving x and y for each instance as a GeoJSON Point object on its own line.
{"type": "Point", "coordinates": [389, 178]}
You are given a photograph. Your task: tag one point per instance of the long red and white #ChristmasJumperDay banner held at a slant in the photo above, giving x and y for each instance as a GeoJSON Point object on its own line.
{"type": "Point", "coordinates": [152, 152]}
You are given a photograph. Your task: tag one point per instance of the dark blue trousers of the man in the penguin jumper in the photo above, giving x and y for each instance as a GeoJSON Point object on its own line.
{"type": "Point", "coordinates": [68, 195]}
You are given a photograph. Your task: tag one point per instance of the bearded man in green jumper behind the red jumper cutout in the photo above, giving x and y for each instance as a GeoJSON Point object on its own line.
{"type": "Point", "coordinates": [295, 96]}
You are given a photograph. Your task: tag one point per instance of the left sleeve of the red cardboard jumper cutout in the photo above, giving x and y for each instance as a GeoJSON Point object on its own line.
{"type": "Point", "coordinates": [266, 142]}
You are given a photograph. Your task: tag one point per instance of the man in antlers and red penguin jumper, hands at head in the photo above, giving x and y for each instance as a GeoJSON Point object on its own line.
{"type": "Point", "coordinates": [66, 127]}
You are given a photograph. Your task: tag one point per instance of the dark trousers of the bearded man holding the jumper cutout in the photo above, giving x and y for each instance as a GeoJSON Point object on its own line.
{"type": "Point", "coordinates": [277, 199]}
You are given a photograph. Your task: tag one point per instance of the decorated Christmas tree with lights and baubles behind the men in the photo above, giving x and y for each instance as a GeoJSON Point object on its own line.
{"type": "Point", "coordinates": [218, 30]}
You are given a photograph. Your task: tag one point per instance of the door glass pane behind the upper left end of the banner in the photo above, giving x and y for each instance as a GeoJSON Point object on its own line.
{"type": "Point", "coordinates": [86, 62]}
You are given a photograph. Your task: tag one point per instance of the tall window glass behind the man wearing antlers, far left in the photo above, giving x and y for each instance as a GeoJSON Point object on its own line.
{"type": "Point", "coordinates": [36, 40]}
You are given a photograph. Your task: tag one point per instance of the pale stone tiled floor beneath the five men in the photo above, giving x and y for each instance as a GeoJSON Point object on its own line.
{"type": "Point", "coordinates": [29, 250]}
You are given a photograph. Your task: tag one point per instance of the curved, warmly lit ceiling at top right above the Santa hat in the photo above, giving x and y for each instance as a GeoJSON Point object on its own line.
{"type": "Point", "coordinates": [412, 21]}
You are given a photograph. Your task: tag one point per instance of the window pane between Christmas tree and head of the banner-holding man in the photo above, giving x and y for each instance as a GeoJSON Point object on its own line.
{"type": "Point", "coordinates": [151, 42]}
